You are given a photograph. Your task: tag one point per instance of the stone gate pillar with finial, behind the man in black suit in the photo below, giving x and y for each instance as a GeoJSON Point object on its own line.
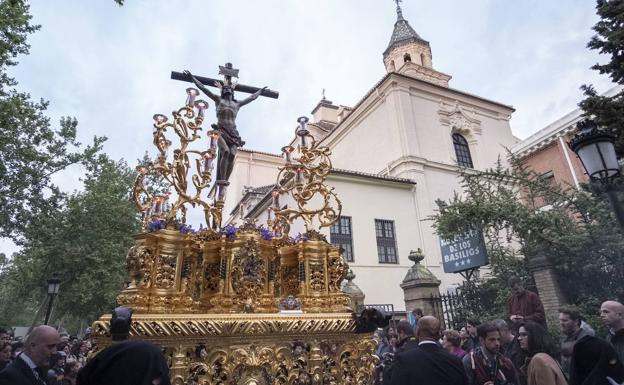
{"type": "Point", "coordinates": [420, 285]}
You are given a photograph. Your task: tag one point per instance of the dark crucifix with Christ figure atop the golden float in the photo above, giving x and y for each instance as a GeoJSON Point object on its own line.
{"type": "Point", "coordinates": [226, 108]}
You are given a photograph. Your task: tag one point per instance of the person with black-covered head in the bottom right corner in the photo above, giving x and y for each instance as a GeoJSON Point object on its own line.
{"type": "Point", "coordinates": [594, 361]}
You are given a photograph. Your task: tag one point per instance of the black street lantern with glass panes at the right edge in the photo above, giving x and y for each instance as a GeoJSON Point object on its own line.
{"type": "Point", "coordinates": [595, 149]}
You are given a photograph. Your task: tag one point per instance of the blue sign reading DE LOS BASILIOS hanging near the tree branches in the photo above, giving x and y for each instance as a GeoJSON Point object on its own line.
{"type": "Point", "coordinates": [464, 252]}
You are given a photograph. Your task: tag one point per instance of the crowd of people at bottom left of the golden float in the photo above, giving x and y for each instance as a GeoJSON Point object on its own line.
{"type": "Point", "coordinates": [45, 357]}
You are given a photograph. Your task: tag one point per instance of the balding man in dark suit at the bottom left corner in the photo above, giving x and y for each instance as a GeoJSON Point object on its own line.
{"type": "Point", "coordinates": [30, 366]}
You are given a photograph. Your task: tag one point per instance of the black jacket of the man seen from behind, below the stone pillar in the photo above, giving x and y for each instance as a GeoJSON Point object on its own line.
{"type": "Point", "coordinates": [428, 364]}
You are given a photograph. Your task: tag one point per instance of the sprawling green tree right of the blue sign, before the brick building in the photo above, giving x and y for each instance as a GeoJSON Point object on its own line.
{"type": "Point", "coordinates": [523, 215]}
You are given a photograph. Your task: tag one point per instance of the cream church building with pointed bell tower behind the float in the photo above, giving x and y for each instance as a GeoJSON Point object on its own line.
{"type": "Point", "coordinates": [394, 153]}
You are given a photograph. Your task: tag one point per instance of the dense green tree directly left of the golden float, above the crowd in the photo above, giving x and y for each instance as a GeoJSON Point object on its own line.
{"type": "Point", "coordinates": [85, 242]}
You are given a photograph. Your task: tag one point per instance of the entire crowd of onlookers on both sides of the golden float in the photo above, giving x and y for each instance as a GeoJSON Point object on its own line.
{"type": "Point", "coordinates": [514, 351]}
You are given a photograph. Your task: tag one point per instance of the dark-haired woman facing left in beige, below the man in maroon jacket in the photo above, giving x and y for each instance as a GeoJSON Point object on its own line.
{"type": "Point", "coordinates": [540, 368]}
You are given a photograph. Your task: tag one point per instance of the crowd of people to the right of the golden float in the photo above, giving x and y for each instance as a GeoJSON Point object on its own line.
{"type": "Point", "coordinates": [515, 351]}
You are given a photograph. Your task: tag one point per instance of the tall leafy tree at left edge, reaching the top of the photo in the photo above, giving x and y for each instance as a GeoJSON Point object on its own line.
{"type": "Point", "coordinates": [31, 151]}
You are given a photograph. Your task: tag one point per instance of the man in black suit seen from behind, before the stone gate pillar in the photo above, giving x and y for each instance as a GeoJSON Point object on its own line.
{"type": "Point", "coordinates": [428, 364]}
